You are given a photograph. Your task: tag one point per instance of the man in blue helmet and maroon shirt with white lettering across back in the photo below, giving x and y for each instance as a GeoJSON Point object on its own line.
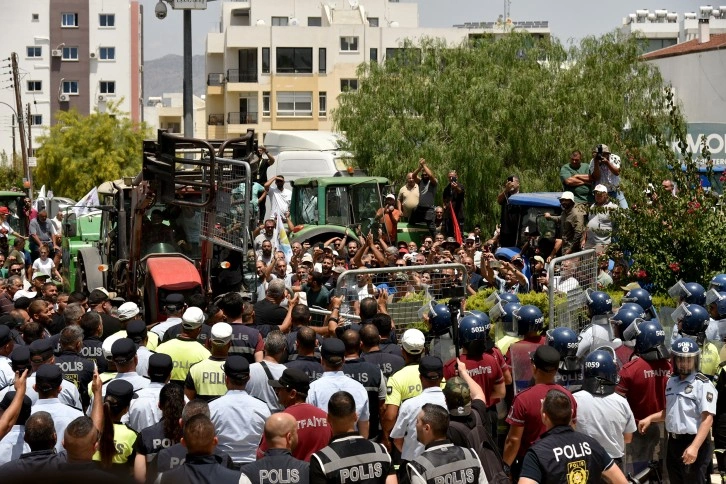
{"type": "Point", "coordinates": [643, 382]}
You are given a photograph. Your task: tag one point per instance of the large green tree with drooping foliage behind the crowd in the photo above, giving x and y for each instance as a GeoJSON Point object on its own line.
{"type": "Point", "coordinates": [490, 109]}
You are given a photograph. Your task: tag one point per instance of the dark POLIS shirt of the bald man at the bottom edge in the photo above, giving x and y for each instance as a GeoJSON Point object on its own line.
{"type": "Point", "coordinates": [277, 467]}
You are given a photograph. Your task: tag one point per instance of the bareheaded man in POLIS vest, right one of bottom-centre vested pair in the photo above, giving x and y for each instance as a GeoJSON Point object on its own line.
{"type": "Point", "coordinates": [441, 461]}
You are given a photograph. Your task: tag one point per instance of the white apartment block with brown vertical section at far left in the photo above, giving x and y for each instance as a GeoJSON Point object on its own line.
{"type": "Point", "coordinates": [72, 54]}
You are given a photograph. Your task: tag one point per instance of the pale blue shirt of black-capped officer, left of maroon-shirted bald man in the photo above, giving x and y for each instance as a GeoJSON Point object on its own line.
{"type": "Point", "coordinates": [239, 420]}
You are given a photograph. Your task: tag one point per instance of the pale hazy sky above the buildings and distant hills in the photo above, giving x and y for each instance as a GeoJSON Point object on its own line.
{"type": "Point", "coordinates": [569, 19]}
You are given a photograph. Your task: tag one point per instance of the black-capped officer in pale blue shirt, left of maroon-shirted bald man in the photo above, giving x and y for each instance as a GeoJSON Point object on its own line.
{"type": "Point", "coordinates": [238, 417]}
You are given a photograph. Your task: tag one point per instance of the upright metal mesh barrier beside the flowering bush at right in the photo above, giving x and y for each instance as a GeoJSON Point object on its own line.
{"type": "Point", "coordinates": [568, 277]}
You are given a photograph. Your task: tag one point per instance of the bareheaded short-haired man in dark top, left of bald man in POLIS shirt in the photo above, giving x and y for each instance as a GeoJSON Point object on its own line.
{"type": "Point", "coordinates": [201, 465]}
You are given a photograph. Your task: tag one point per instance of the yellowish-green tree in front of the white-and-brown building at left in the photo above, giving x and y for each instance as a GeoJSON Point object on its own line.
{"type": "Point", "coordinates": [81, 152]}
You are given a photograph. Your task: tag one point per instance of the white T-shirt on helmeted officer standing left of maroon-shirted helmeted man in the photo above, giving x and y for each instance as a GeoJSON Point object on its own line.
{"type": "Point", "coordinates": [606, 419]}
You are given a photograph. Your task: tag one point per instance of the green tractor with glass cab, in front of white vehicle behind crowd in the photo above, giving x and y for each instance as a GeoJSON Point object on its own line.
{"type": "Point", "coordinates": [329, 207]}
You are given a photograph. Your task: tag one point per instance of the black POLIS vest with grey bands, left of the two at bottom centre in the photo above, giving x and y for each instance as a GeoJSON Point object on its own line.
{"type": "Point", "coordinates": [350, 459]}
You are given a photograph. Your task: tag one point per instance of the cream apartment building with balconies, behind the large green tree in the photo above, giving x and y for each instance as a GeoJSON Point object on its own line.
{"type": "Point", "coordinates": [283, 64]}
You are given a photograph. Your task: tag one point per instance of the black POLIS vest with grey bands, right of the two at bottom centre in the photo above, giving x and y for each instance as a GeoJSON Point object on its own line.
{"type": "Point", "coordinates": [447, 464]}
